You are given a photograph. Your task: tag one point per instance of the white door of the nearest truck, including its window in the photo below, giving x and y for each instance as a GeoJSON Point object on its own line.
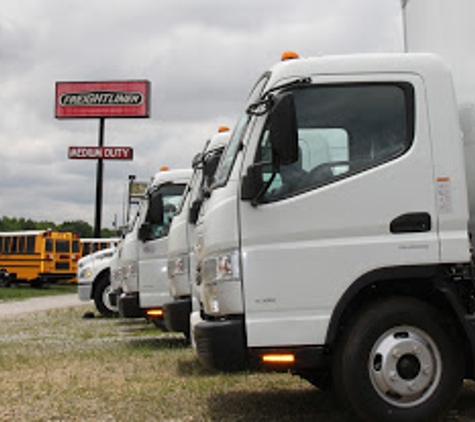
{"type": "Point", "coordinates": [360, 198]}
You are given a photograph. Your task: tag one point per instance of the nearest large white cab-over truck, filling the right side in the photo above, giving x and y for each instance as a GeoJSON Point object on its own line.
{"type": "Point", "coordinates": [335, 241]}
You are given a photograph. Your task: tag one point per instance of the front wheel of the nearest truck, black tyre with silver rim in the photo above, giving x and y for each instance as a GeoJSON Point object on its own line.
{"type": "Point", "coordinates": [400, 360]}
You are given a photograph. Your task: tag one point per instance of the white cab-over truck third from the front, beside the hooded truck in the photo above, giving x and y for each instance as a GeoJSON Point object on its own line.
{"type": "Point", "coordinates": [142, 253]}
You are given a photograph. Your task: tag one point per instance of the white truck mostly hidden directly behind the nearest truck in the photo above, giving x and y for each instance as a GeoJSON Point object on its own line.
{"type": "Point", "coordinates": [181, 238]}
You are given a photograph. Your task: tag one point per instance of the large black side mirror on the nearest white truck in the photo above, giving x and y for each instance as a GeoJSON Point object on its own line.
{"type": "Point", "coordinates": [283, 133]}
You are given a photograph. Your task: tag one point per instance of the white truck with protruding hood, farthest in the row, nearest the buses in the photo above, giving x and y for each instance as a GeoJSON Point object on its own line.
{"type": "Point", "coordinates": [93, 275]}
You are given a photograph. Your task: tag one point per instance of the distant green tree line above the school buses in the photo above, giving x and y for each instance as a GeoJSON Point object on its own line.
{"type": "Point", "coordinates": [82, 228]}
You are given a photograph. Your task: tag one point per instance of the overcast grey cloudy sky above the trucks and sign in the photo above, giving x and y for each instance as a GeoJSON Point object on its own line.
{"type": "Point", "coordinates": [201, 57]}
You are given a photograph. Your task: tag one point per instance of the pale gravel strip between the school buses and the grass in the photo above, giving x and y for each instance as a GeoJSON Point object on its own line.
{"type": "Point", "coordinates": [36, 304]}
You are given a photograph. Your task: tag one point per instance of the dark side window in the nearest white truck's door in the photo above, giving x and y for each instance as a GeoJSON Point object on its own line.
{"type": "Point", "coordinates": [342, 130]}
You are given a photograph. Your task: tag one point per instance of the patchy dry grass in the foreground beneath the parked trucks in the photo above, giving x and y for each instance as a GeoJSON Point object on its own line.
{"type": "Point", "coordinates": [58, 366]}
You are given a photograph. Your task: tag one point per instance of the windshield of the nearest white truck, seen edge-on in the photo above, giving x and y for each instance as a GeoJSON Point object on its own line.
{"type": "Point", "coordinates": [227, 161]}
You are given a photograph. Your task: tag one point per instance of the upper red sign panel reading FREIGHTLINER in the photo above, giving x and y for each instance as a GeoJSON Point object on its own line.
{"type": "Point", "coordinates": [103, 99]}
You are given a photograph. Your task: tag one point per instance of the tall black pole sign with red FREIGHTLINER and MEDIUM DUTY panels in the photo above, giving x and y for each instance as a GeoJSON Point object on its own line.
{"type": "Point", "coordinates": [117, 99]}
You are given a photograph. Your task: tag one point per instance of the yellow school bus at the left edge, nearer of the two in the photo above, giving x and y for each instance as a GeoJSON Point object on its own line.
{"type": "Point", "coordinates": [39, 257]}
